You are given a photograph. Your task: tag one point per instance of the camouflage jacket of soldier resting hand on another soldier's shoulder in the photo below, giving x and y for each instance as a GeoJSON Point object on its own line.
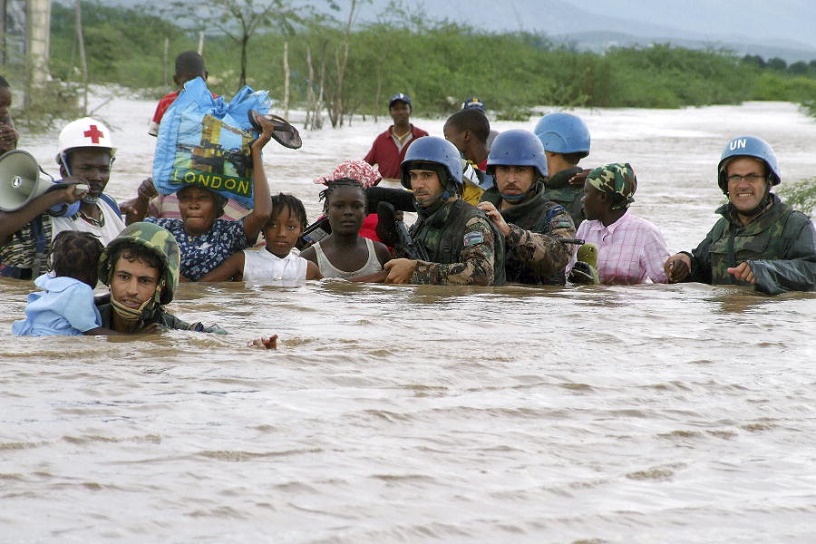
{"type": "Point", "coordinates": [533, 253]}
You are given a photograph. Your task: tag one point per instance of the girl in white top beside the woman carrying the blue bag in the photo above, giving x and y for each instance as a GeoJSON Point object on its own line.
{"type": "Point", "coordinates": [275, 264]}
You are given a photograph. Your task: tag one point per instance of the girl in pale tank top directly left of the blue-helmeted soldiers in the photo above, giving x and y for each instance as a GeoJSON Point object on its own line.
{"type": "Point", "coordinates": [344, 253]}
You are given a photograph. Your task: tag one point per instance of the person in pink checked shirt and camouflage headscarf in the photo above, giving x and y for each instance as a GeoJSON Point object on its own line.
{"type": "Point", "coordinates": [630, 249]}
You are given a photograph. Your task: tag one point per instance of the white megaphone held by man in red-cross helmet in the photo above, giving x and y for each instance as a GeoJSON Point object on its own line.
{"type": "Point", "coordinates": [20, 180]}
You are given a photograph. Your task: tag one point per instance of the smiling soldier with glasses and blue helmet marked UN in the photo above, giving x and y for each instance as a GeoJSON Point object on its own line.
{"type": "Point", "coordinates": [759, 240]}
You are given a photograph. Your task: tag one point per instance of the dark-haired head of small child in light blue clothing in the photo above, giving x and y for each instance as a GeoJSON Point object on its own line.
{"type": "Point", "coordinates": [76, 255]}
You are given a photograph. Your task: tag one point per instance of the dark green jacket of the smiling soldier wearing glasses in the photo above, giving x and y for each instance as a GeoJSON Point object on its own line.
{"type": "Point", "coordinates": [779, 246]}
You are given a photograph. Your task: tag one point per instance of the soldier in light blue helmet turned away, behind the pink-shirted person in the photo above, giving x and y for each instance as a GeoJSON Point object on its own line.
{"type": "Point", "coordinates": [566, 141]}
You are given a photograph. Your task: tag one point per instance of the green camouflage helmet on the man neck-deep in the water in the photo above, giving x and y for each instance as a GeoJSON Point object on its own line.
{"type": "Point", "coordinates": [158, 240]}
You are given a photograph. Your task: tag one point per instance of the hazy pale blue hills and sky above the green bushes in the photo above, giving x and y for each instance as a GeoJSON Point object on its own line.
{"type": "Point", "coordinates": [782, 28]}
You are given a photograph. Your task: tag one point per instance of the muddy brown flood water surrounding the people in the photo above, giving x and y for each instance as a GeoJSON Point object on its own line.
{"type": "Point", "coordinates": [590, 414]}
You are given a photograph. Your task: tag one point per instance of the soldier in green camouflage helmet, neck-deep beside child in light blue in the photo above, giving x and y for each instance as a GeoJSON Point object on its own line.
{"type": "Point", "coordinates": [141, 266]}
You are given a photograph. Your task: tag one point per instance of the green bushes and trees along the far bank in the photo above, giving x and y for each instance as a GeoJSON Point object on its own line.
{"type": "Point", "coordinates": [438, 63]}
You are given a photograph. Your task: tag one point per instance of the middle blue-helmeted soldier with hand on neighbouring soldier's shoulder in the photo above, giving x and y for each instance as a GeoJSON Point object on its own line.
{"type": "Point", "coordinates": [533, 227]}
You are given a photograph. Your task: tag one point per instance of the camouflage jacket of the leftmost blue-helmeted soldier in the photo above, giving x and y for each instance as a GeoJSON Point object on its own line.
{"type": "Point", "coordinates": [462, 246]}
